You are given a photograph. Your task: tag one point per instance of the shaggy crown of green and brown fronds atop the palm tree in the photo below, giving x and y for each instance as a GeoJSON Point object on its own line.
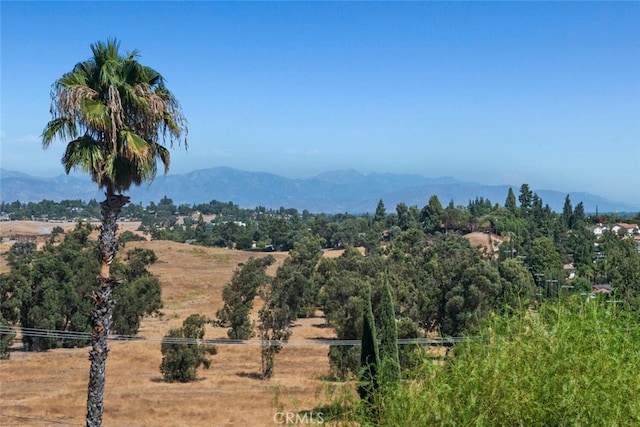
{"type": "Point", "coordinates": [125, 112]}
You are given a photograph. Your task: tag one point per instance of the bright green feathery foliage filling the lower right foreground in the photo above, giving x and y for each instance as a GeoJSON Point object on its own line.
{"type": "Point", "coordinates": [561, 366]}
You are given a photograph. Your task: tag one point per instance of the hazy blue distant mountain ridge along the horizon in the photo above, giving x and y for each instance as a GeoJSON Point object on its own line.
{"type": "Point", "coordinates": [330, 192]}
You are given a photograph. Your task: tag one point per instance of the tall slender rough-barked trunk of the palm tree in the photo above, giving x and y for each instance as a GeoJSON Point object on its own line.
{"type": "Point", "coordinates": [102, 308]}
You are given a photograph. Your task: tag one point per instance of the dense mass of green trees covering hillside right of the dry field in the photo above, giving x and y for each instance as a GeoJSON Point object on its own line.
{"type": "Point", "coordinates": [440, 282]}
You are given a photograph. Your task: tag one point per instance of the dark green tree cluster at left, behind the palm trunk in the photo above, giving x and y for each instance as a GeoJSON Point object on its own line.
{"type": "Point", "coordinates": [49, 289]}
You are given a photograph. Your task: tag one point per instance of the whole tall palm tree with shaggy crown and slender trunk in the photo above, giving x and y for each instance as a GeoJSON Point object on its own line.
{"type": "Point", "coordinates": [116, 115]}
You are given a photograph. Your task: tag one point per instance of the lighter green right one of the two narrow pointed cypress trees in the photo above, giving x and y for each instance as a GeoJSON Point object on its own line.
{"type": "Point", "coordinates": [389, 336]}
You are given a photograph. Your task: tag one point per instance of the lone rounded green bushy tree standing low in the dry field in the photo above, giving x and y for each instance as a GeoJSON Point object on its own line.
{"type": "Point", "coordinates": [182, 354]}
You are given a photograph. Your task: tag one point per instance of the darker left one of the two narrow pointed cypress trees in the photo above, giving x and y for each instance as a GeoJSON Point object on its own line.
{"type": "Point", "coordinates": [369, 359]}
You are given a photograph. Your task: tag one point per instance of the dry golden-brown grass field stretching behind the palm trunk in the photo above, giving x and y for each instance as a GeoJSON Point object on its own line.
{"type": "Point", "coordinates": [49, 388]}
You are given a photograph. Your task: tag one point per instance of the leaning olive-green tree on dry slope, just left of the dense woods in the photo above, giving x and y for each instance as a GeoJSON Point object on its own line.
{"type": "Point", "coordinates": [238, 296]}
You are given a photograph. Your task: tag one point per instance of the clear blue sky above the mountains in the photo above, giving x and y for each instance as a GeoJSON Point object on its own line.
{"type": "Point", "coordinates": [498, 93]}
